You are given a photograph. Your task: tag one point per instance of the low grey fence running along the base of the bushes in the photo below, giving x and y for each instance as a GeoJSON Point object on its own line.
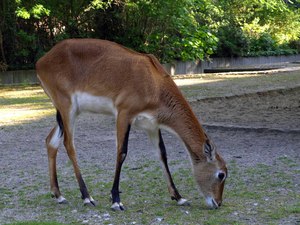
{"type": "Point", "coordinates": [177, 67]}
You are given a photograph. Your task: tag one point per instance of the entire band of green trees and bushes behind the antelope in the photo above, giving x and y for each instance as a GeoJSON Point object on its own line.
{"type": "Point", "coordinates": [170, 29]}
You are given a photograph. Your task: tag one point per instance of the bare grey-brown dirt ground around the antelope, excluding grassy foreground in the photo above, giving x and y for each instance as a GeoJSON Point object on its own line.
{"type": "Point", "coordinates": [250, 129]}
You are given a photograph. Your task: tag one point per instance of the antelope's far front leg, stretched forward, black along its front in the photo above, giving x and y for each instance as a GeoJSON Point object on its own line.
{"type": "Point", "coordinates": [158, 142]}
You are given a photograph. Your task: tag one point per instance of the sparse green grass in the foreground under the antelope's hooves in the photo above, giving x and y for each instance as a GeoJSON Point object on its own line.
{"type": "Point", "coordinates": [260, 195]}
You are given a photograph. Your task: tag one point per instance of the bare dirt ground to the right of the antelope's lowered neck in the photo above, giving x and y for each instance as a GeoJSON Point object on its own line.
{"type": "Point", "coordinates": [254, 128]}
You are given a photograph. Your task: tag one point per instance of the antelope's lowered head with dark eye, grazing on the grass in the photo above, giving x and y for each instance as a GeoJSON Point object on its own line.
{"type": "Point", "coordinates": [210, 174]}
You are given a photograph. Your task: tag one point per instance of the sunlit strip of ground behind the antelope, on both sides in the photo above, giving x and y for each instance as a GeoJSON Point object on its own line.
{"type": "Point", "coordinates": [24, 104]}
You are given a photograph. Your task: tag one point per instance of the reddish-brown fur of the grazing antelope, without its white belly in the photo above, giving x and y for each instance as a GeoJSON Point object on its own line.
{"type": "Point", "coordinates": [136, 83]}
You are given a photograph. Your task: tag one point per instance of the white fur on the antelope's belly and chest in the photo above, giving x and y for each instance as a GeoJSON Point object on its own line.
{"type": "Point", "coordinates": [86, 102]}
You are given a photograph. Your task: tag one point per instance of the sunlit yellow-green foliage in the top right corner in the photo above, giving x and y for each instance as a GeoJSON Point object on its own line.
{"type": "Point", "coordinates": [258, 27]}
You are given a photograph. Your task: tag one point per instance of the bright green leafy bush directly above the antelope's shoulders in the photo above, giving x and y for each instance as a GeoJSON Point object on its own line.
{"type": "Point", "coordinates": [170, 29]}
